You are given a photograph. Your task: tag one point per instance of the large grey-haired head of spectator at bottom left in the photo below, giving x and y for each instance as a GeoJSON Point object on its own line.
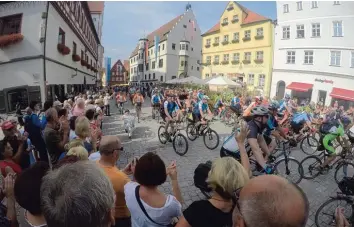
{"type": "Point", "coordinates": [78, 194]}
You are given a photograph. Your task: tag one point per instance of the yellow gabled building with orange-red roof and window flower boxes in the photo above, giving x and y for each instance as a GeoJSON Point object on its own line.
{"type": "Point", "coordinates": [240, 46]}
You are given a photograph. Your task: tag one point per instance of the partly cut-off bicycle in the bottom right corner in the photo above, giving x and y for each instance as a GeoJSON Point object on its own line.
{"type": "Point", "coordinates": [328, 209]}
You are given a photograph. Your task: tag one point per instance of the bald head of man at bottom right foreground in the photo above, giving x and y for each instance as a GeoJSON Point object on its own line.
{"type": "Point", "coordinates": [271, 201]}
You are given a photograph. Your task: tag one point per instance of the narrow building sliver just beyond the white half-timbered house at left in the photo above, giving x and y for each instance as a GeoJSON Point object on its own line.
{"type": "Point", "coordinates": [97, 12]}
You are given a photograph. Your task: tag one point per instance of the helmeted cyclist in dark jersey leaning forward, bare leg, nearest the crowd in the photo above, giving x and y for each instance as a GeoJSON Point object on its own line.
{"type": "Point", "coordinates": [255, 138]}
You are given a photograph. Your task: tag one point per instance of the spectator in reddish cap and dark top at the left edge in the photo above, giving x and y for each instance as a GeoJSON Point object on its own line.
{"type": "Point", "coordinates": [14, 138]}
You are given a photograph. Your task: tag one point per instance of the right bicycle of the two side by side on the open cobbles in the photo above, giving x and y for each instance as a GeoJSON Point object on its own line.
{"type": "Point", "coordinates": [204, 130]}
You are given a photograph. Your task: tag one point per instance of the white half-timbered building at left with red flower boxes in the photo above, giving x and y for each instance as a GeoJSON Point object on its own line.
{"type": "Point", "coordinates": [47, 49]}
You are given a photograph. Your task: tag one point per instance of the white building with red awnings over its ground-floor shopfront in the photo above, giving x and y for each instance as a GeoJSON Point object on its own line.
{"type": "Point", "coordinates": [314, 51]}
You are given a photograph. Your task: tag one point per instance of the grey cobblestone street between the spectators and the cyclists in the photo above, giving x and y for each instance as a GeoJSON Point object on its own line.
{"type": "Point", "coordinates": [145, 139]}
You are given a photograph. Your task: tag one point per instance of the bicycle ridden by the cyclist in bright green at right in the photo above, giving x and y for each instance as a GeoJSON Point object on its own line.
{"type": "Point", "coordinates": [344, 161]}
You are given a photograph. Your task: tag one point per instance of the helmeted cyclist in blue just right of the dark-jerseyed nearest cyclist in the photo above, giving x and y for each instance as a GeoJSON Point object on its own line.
{"type": "Point", "coordinates": [273, 128]}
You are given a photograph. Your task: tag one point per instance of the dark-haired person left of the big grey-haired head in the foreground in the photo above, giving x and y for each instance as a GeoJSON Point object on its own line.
{"type": "Point", "coordinates": [27, 194]}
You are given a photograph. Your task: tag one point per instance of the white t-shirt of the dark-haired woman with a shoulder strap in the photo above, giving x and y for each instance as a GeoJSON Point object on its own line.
{"type": "Point", "coordinates": [162, 215]}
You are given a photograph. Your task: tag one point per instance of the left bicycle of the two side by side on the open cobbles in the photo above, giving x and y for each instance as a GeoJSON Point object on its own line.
{"type": "Point", "coordinates": [176, 137]}
